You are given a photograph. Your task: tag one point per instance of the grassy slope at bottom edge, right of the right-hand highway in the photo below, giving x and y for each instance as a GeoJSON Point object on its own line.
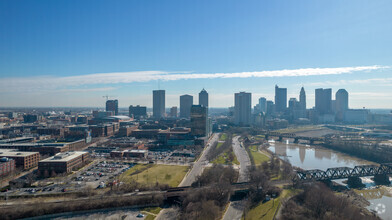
{"type": "Point", "coordinates": [268, 209]}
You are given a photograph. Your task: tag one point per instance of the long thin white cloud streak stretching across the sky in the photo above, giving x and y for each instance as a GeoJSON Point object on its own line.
{"type": "Point", "coordinates": [31, 84]}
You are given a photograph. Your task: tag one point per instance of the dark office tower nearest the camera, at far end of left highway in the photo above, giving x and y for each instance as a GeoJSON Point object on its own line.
{"type": "Point", "coordinates": [199, 120]}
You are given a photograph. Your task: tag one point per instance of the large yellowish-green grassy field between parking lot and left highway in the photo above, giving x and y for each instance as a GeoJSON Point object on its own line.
{"type": "Point", "coordinates": [151, 173]}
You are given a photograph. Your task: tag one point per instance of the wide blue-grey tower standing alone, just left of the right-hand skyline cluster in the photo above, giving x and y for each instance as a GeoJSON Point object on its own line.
{"type": "Point", "coordinates": [242, 108]}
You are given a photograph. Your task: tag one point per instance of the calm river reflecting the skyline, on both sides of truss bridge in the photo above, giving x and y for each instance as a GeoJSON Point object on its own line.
{"type": "Point", "coordinates": [315, 157]}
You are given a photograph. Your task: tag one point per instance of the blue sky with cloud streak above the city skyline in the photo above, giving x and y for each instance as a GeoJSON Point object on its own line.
{"type": "Point", "coordinates": [71, 53]}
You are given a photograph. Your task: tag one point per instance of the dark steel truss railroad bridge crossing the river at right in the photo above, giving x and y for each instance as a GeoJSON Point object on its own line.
{"type": "Point", "coordinates": [380, 173]}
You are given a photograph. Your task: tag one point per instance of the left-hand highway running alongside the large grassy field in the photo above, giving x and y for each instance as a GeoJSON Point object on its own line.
{"type": "Point", "coordinates": [199, 165]}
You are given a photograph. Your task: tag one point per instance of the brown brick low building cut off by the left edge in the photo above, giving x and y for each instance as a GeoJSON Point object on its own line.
{"type": "Point", "coordinates": [25, 160]}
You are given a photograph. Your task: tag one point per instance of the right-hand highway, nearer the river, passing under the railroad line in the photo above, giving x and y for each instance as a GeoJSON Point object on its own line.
{"type": "Point", "coordinates": [236, 208]}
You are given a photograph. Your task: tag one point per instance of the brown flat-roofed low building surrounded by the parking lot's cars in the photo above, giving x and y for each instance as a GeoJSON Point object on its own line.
{"type": "Point", "coordinates": [63, 163]}
